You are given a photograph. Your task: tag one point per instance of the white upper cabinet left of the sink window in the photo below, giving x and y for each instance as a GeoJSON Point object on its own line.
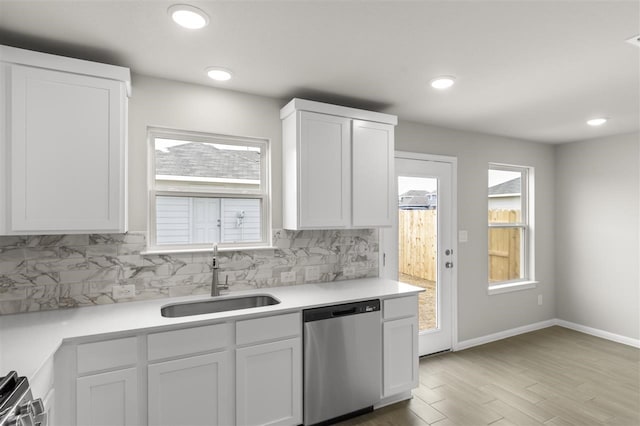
{"type": "Point", "coordinates": [64, 151]}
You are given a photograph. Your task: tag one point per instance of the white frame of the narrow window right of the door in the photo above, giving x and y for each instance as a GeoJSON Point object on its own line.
{"type": "Point", "coordinates": [527, 258]}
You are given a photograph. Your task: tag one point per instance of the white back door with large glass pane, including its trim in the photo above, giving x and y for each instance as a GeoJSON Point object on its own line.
{"type": "Point", "coordinates": [419, 248]}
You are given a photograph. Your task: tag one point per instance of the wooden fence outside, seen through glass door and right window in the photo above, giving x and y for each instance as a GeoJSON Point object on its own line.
{"type": "Point", "coordinates": [418, 245]}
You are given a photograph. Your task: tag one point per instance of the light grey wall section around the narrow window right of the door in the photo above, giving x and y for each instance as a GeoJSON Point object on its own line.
{"type": "Point", "coordinates": [478, 313]}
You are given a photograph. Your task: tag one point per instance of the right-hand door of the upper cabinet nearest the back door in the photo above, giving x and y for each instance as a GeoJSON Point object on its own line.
{"type": "Point", "coordinates": [372, 174]}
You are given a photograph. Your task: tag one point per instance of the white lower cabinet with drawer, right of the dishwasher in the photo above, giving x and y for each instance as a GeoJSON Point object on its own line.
{"type": "Point", "coordinates": [400, 345]}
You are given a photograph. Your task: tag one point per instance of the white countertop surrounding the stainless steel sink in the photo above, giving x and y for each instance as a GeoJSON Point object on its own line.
{"type": "Point", "coordinates": [27, 341]}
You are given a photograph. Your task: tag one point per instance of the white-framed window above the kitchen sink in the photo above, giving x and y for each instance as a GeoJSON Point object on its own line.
{"type": "Point", "coordinates": [206, 189]}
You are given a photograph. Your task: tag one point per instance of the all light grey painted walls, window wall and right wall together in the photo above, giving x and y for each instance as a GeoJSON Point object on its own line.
{"type": "Point", "coordinates": [585, 293]}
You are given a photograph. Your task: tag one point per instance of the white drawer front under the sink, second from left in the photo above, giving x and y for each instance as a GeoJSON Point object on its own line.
{"type": "Point", "coordinates": [188, 341]}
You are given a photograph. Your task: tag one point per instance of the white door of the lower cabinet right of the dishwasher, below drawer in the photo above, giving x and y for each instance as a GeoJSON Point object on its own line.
{"type": "Point", "coordinates": [400, 355]}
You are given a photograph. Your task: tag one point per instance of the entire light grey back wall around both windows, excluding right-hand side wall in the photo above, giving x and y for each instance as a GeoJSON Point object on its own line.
{"type": "Point", "coordinates": [165, 103]}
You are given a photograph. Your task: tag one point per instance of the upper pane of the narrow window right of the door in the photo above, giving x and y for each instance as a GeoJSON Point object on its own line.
{"type": "Point", "coordinates": [505, 196]}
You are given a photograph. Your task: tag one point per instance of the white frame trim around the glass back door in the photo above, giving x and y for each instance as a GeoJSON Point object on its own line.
{"type": "Point", "coordinates": [453, 161]}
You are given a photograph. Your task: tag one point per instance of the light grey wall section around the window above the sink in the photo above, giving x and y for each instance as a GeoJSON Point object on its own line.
{"type": "Point", "coordinates": [165, 103]}
